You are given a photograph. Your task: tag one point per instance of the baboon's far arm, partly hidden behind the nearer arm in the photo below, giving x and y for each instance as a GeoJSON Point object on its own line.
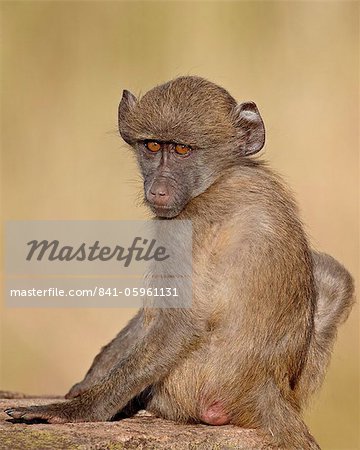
{"type": "Point", "coordinates": [109, 355]}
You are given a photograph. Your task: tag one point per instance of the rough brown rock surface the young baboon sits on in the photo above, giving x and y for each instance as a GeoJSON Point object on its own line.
{"type": "Point", "coordinates": [143, 431]}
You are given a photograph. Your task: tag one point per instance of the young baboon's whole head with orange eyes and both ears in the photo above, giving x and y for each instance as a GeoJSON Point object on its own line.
{"type": "Point", "coordinates": [185, 133]}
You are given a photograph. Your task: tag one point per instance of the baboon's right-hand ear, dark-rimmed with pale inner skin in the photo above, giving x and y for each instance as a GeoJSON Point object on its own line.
{"type": "Point", "coordinates": [251, 128]}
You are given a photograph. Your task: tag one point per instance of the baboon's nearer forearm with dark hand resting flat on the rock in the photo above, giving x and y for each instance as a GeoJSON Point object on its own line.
{"type": "Point", "coordinates": [149, 360]}
